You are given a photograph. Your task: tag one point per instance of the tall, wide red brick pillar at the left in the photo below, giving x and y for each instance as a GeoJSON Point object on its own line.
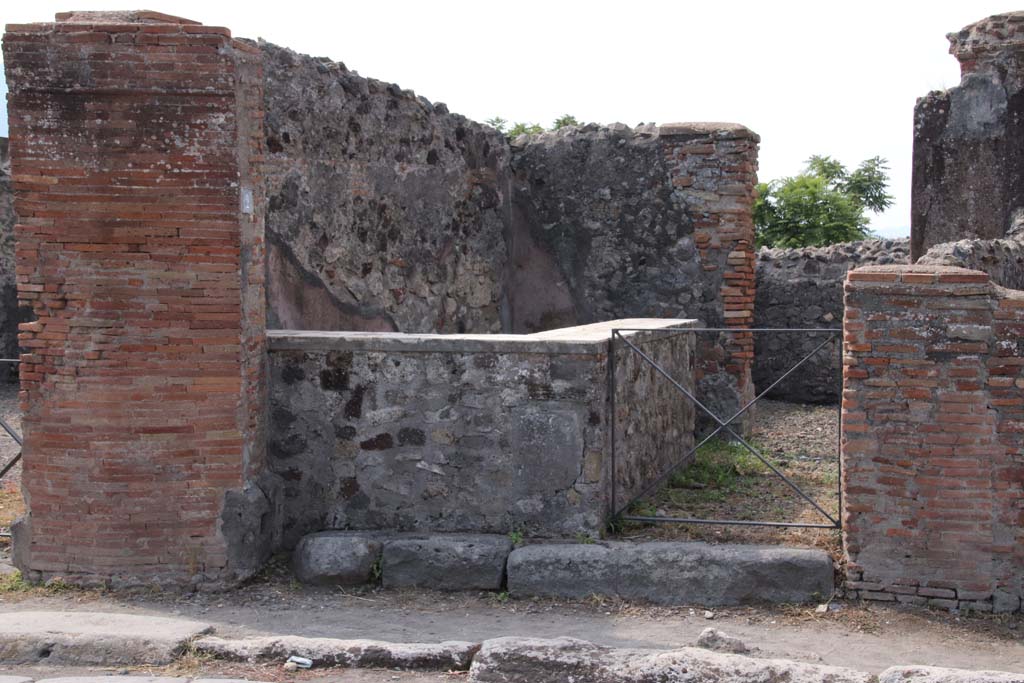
{"type": "Point", "coordinates": [136, 151]}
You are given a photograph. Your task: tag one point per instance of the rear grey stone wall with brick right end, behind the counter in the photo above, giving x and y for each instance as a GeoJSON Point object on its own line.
{"type": "Point", "coordinates": [613, 222]}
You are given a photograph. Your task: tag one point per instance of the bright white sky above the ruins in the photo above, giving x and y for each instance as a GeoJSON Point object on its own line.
{"type": "Point", "coordinates": [820, 77]}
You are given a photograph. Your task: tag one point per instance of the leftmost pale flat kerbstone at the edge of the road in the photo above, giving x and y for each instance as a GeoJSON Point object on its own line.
{"type": "Point", "coordinates": [94, 638]}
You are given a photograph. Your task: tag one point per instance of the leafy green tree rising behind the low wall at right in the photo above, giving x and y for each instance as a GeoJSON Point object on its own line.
{"type": "Point", "coordinates": [824, 205]}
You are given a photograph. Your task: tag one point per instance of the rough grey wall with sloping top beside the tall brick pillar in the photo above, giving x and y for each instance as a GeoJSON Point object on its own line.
{"type": "Point", "coordinates": [386, 211]}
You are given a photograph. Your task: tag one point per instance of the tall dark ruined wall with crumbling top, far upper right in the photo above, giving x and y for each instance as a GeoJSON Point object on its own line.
{"type": "Point", "coordinates": [968, 164]}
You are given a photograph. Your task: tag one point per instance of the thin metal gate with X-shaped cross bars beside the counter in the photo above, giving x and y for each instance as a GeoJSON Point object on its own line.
{"type": "Point", "coordinates": [833, 336]}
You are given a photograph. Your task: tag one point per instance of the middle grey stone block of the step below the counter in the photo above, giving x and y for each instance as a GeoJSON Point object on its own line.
{"type": "Point", "coordinates": [447, 563]}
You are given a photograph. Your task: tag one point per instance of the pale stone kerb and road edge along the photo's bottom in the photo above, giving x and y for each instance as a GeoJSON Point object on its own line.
{"type": "Point", "coordinates": [39, 646]}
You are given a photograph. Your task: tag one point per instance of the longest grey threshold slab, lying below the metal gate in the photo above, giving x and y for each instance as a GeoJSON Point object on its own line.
{"type": "Point", "coordinates": [673, 573]}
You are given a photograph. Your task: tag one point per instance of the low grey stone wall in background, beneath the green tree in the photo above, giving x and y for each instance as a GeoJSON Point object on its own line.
{"type": "Point", "coordinates": [803, 288]}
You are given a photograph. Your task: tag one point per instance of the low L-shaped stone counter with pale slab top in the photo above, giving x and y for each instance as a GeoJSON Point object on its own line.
{"type": "Point", "coordinates": [485, 434]}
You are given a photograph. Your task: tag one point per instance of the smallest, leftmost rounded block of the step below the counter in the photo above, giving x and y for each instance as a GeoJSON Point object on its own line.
{"type": "Point", "coordinates": [342, 559]}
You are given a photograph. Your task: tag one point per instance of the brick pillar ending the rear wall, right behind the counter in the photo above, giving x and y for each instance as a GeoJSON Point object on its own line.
{"type": "Point", "coordinates": [714, 165]}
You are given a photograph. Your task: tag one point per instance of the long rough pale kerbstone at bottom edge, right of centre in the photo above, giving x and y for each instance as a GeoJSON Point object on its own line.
{"type": "Point", "coordinates": [537, 661]}
